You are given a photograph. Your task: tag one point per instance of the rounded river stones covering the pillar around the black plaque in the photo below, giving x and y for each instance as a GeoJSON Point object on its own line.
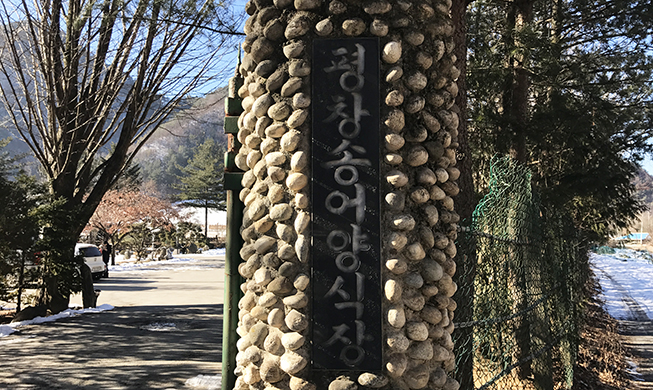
{"type": "Point", "coordinates": [418, 183]}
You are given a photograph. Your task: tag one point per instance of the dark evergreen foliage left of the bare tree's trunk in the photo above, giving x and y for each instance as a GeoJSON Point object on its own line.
{"type": "Point", "coordinates": [33, 248]}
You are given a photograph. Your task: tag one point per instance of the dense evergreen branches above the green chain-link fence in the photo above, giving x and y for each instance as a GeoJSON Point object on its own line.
{"type": "Point", "coordinates": [570, 83]}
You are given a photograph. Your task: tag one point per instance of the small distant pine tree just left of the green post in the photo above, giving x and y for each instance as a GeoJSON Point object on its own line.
{"type": "Point", "coordinates": [202, 180]}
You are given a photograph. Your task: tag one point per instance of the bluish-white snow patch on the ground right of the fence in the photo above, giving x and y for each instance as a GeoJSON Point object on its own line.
{"type": "Point", "coordinates": [626, 271]}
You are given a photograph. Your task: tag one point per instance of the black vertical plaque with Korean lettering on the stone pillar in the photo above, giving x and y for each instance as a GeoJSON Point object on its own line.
{"type": "Point", "coordinates": [346, 206]}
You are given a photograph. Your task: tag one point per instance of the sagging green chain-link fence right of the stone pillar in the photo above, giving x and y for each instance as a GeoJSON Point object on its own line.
{"type": "Point", "coordinates": [520, 284]}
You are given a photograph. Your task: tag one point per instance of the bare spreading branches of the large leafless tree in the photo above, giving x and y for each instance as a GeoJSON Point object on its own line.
{"type": "Point", "coordinates": [79, 76]}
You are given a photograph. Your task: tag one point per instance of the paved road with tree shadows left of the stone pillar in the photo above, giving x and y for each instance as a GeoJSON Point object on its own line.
{"type": "Point", "coordinates": [165, 329]}
